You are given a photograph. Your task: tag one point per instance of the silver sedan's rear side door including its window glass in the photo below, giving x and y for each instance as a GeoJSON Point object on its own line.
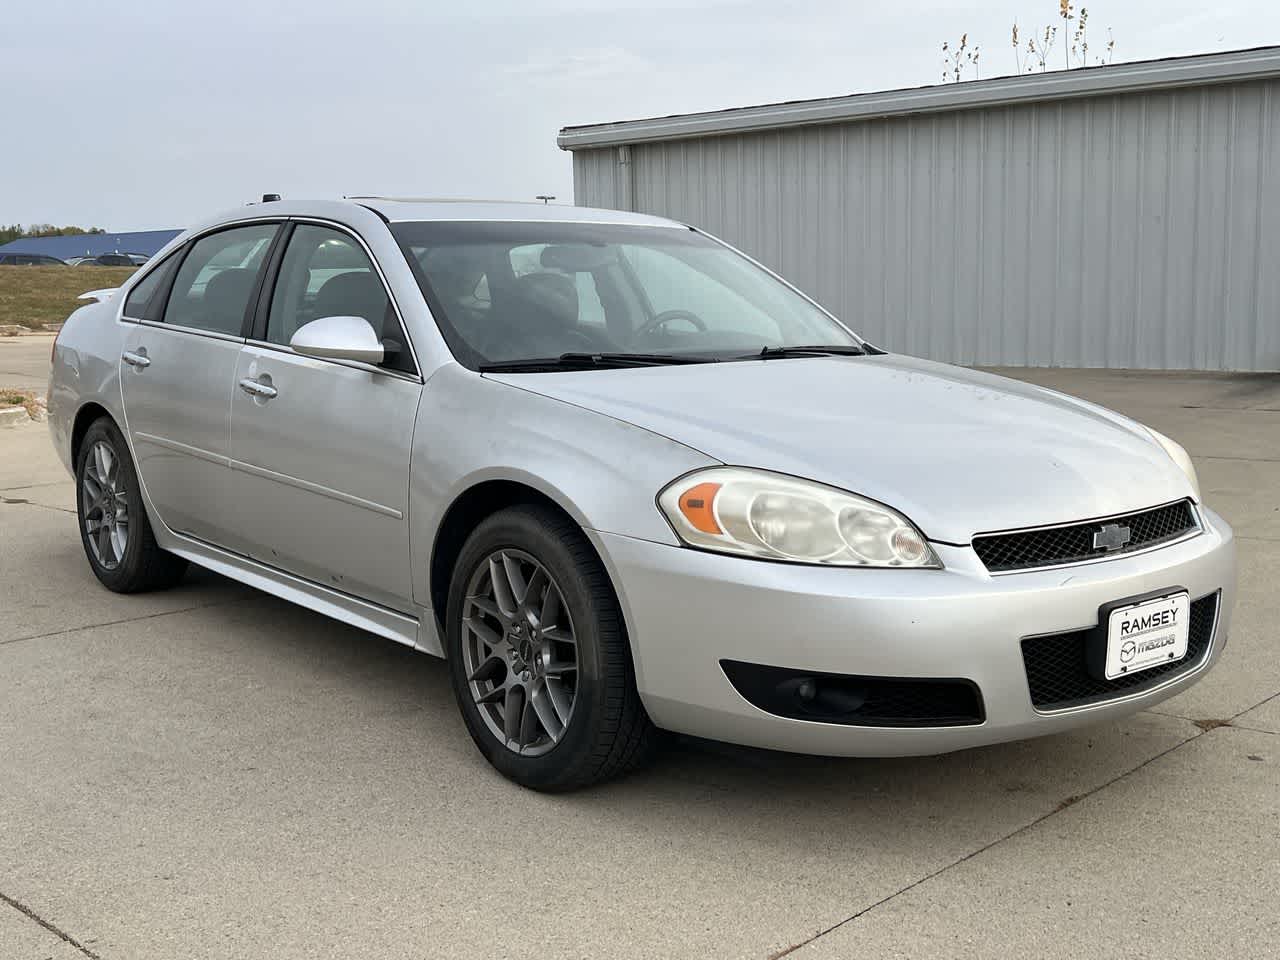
{"type": "Point", "coordinates": [179, 372]}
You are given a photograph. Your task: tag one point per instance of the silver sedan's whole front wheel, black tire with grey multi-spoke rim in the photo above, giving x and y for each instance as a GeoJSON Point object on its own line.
{"type": "Point", "coordinates": [540, 657]}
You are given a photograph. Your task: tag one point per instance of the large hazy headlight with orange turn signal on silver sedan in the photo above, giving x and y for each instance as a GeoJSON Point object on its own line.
{"type": "Point", "coordinates": [758, 514]}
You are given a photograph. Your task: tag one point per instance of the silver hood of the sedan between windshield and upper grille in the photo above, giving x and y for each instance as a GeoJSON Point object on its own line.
{"type": "Point", "coordinates": [958, 451]}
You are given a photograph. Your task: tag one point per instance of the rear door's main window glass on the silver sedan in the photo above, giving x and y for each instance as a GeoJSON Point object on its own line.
{"type": "Point", "coordinates": [217, 280]}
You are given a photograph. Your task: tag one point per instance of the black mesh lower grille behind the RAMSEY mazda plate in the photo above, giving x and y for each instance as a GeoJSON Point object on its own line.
{"type": "Point", "coordinates": [1058, 670]}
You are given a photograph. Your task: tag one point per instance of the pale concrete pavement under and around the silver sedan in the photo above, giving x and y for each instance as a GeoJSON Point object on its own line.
{"type": "Point", "coordinates": [211, 772]}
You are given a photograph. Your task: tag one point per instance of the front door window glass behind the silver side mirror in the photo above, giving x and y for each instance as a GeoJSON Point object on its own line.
{"type": "Point", "coordinates": [326, 273]}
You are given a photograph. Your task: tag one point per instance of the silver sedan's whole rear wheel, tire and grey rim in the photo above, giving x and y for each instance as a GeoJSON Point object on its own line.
{"type": "Point", "coordinates": [113, 523]}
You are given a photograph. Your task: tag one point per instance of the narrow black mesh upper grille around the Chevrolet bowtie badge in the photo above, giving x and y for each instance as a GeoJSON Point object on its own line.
{"type": "Point", "coordinates": [1072, 545]}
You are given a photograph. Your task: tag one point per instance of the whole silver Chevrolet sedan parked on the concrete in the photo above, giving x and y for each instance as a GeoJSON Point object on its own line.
{"type": "Point", "coordinates": [627, 481]}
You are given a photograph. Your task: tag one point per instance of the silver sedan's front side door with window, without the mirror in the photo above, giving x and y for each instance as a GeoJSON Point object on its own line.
{"type": "Point", "coordinates": [322, 456]}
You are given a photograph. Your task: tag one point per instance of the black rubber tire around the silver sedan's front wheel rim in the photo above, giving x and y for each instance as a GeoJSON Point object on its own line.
{"type": "Point", "coordinates": [609, 733]}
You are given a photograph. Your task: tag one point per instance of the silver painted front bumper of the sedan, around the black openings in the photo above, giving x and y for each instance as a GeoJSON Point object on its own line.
{"type": "Point", "coordinates": [688, 610]}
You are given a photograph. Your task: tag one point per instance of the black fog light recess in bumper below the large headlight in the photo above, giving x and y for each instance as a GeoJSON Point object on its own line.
{"type": "Point", "coordinates": [870, 702]}
